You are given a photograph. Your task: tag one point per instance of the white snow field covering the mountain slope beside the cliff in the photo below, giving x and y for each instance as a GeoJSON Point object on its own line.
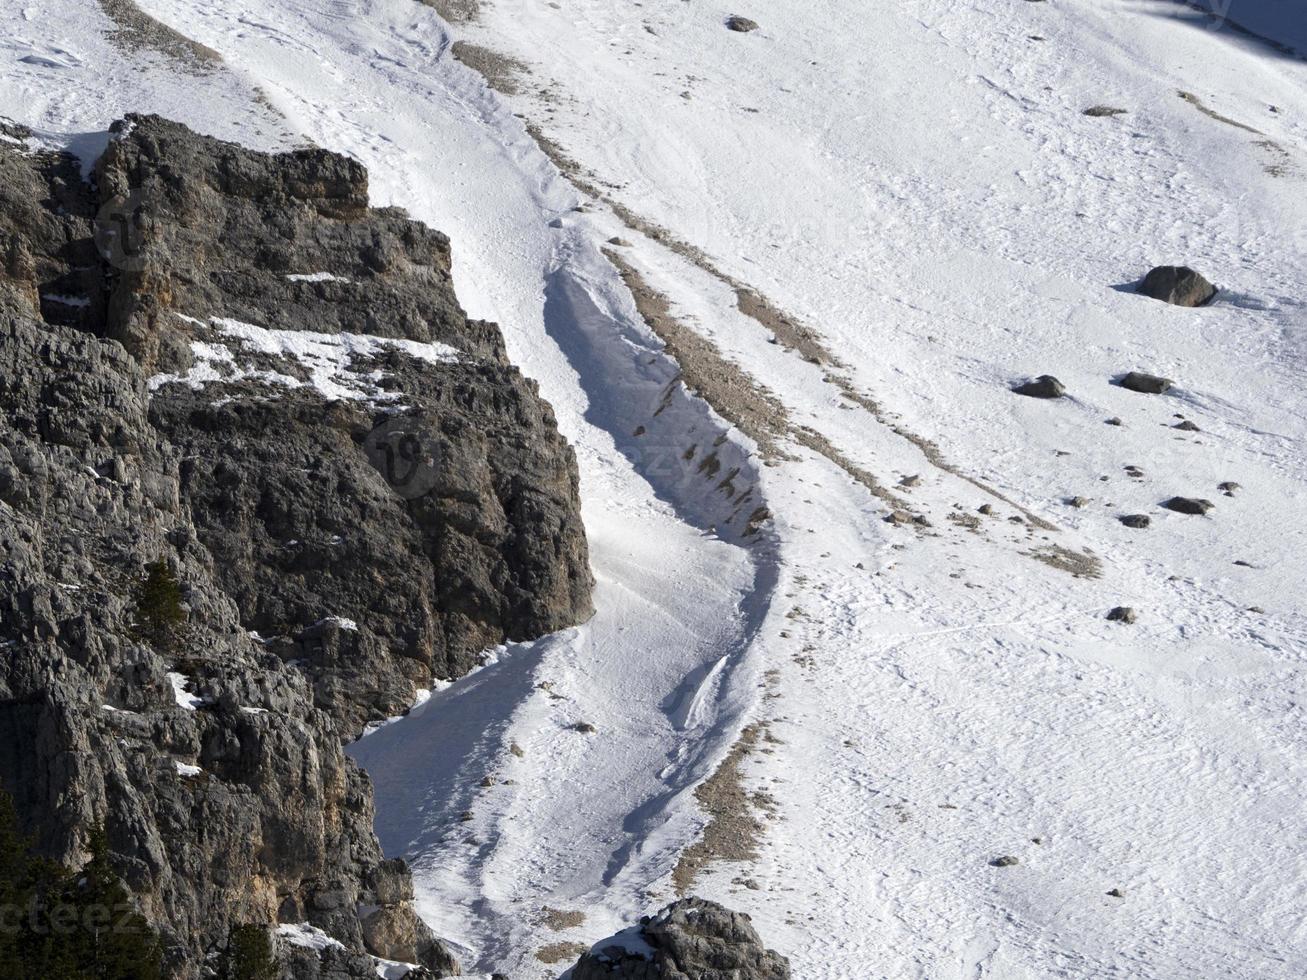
{"type": "Point", "coordinates": [918, 184]}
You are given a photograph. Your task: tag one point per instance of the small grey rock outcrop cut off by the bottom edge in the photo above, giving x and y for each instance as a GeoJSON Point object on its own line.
{"type": "Point", "coordinates": [689, 940]}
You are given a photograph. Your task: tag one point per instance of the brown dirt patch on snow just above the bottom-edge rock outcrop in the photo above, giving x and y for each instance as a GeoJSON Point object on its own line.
{"type": "Point", "coordinates": [736, 817]}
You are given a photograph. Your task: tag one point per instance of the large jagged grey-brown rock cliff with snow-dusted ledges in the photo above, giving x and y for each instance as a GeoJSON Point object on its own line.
{"type": "Point", "coordinates": [275, 500]}
